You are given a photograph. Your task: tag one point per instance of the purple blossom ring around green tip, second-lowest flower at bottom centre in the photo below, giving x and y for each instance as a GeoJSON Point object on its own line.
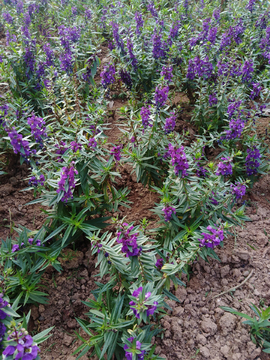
{"type": "Point", "coordinates": [138, 306]}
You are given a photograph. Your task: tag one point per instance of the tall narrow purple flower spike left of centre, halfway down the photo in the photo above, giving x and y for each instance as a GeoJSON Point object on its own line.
{"type": "Point", "coordinates": [67, 182]}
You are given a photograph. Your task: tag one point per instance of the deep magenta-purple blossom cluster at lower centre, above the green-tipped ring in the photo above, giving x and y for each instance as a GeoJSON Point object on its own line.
{"type": "Point", "coordinates": [128, 241]}
